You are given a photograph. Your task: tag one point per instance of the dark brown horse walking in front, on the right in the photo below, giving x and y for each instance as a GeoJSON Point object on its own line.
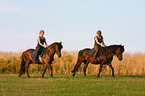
{"type": "Point", "coordinates": [105, 57]}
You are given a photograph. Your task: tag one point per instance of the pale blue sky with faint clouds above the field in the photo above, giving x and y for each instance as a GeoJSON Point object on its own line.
{"type": "Point", "coordinates": [74, 22]}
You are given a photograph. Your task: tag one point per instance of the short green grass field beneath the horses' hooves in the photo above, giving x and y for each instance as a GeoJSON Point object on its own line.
{"type": "Point", "coordinates": [66, 85]}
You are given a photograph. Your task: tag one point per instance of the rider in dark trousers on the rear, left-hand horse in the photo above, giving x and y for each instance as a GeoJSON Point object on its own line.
{"type": "Point", "coordinates": [40, 46]}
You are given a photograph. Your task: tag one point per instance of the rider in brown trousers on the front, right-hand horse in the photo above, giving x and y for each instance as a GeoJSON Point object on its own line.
{"type": "Point", "coordinates": [98, 43]}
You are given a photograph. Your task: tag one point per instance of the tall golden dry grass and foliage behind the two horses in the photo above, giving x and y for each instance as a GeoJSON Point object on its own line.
{"type": "Point", "coordinates": [132, 64]}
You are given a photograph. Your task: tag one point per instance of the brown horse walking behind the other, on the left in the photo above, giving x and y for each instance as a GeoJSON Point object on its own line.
{"type": "Point", "coordinates": [47, 58]}
